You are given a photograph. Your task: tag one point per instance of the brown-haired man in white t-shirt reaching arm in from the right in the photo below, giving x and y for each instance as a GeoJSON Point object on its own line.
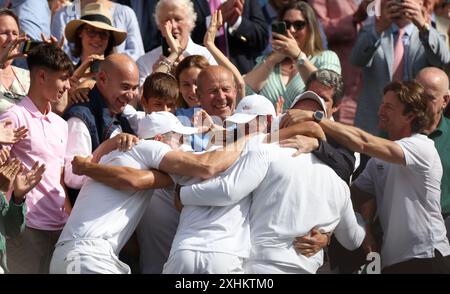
{"type": "Point", "coordinates": [401, 183]}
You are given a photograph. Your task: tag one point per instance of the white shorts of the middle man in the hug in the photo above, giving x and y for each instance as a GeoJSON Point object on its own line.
{"type": "Point", "coordinates": [196, 262]}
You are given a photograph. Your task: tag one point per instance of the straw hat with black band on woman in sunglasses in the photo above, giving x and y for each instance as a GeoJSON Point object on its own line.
{"type": "Point", "coordinates": [96, 15]}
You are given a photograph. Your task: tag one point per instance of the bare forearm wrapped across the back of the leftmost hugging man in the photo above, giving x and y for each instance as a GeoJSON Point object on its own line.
{"type": "Point", "coordinates": [126, 178]}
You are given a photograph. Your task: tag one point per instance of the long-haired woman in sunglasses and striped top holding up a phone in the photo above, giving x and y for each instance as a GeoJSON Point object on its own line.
{"type": "Point", "coordinates": [296, 54]}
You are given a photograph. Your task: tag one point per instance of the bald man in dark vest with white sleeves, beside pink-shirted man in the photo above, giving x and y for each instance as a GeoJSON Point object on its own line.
{"type": "Point", "coordinates": [93, 122]}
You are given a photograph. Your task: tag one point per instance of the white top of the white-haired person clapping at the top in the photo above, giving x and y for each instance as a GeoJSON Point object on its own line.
{"type": "Point", "coordinates": [146, 61]}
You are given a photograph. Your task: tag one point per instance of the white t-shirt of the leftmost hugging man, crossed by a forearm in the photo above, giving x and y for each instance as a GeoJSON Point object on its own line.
{"type": "Point", "coordinates": [102, 212]}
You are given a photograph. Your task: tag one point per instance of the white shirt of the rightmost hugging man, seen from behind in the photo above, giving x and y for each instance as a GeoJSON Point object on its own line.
{"type": "Point", "coordinates": [290, 196]}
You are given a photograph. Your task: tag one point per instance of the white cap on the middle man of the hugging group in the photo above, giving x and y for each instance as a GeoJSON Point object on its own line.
{"type": "Point", "coordinates": [250, 107]}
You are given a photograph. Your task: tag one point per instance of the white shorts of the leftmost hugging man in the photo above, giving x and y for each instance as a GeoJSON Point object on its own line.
{"type": "Point", "coordinates": [86, 256]}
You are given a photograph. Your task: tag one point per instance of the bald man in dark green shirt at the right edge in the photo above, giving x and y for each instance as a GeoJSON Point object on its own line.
{"type": "Point", "coordinates": [436, 85]}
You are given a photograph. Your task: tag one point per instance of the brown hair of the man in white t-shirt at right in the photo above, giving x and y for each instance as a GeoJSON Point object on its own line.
{"type": "Point", "coordinates": [412, 95]}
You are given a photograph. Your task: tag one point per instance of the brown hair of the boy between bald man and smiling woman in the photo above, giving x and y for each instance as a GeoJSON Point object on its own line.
{"type": "Point", "coordinates": [161, 86]}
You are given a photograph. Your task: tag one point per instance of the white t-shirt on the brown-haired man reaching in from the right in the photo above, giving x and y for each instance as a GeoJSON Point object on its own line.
{"type": "Point", "coordinates": [408, 201]}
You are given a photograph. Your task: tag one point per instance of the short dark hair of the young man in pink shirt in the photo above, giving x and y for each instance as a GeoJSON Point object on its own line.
{"type": "Point", "coordinates": [50, 57]}
